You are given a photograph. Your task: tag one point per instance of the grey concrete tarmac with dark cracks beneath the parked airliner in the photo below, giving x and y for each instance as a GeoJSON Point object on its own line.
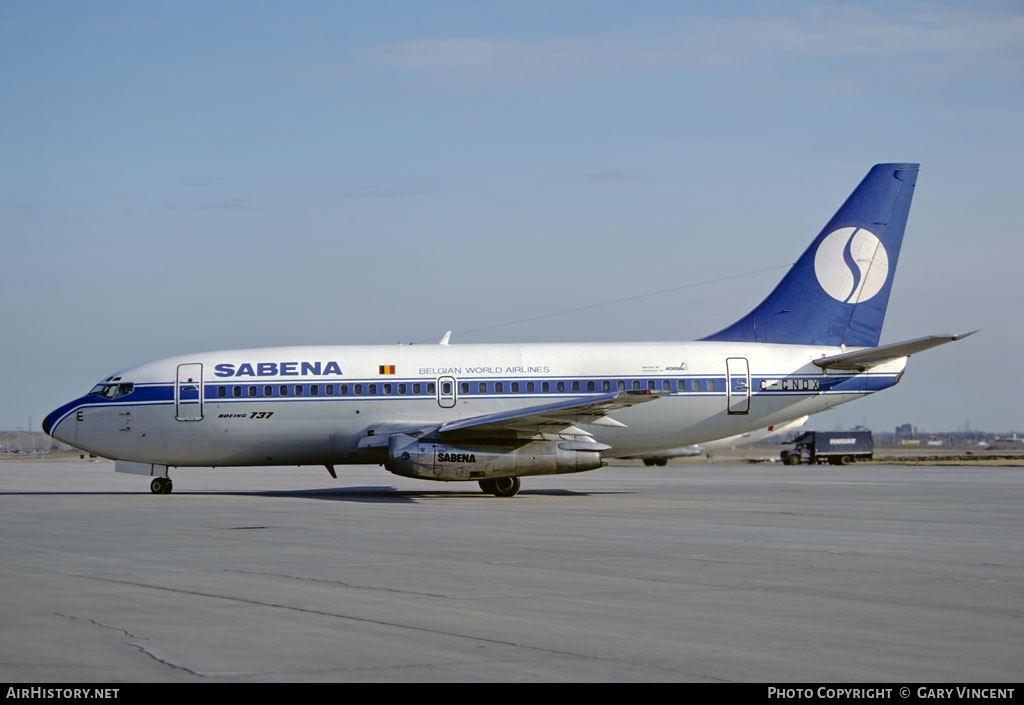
{"type": "Point", "coordinates": [689, 573]}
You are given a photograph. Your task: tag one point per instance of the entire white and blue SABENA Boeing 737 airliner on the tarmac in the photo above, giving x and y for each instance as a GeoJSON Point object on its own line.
{"type": "Point", "coordinates": [495, 413]}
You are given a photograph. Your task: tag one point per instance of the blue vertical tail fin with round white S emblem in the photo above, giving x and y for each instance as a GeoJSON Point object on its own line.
{"type": "Point", "coordinates": [838, 292]}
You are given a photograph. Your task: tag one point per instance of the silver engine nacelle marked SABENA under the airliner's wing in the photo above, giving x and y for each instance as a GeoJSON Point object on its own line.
{"type": "Point", "coordinates": [471, 461]}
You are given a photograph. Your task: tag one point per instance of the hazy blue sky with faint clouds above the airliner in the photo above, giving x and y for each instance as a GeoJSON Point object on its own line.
{"type": "Point", "coordinates": [193, 177]}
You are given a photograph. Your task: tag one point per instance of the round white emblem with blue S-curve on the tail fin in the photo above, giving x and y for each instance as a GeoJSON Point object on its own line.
{"type": "Point", "coordinates": [851, 265]}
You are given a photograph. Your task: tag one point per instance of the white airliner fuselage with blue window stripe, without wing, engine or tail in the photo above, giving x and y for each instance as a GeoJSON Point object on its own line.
{"type": "Point", "coordinates": [314, 405]}
